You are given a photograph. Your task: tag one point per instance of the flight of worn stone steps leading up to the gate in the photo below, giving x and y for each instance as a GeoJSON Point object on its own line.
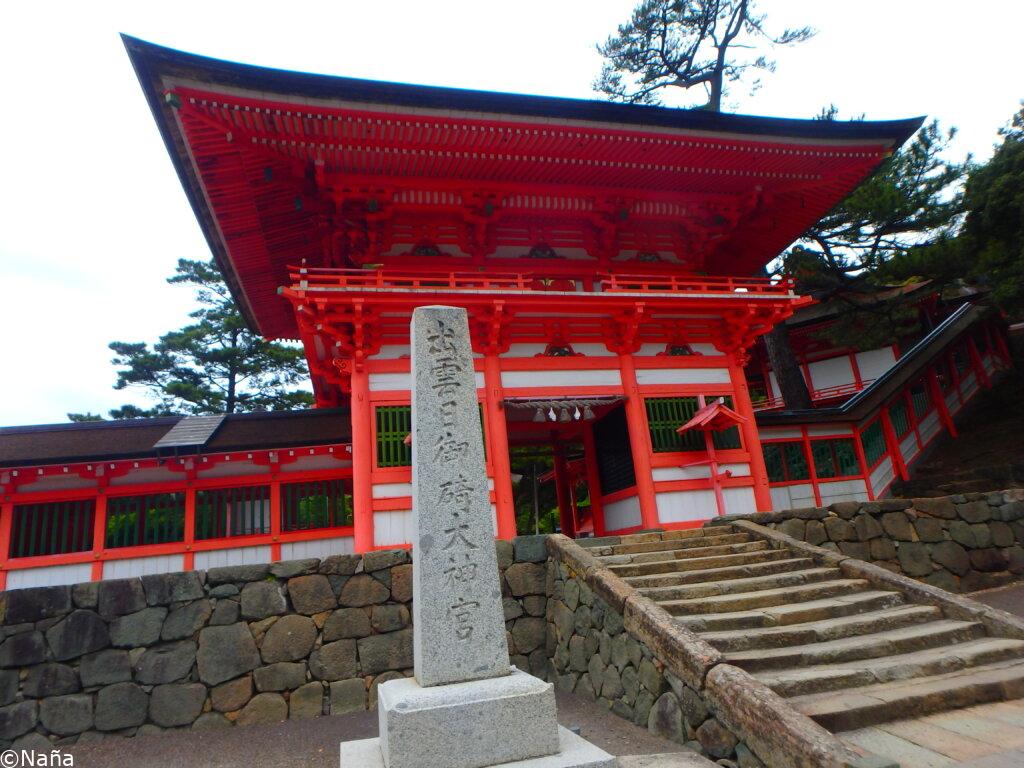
{"type": "Point", "coordinates": [844, 653]}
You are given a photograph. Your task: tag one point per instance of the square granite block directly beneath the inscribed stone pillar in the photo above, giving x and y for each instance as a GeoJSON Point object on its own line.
{"type": "Point", "coordinates": [466, 726]}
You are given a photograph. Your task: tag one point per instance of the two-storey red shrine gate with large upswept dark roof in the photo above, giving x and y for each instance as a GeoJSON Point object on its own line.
{"type": "Point", "coordinates": [596, 246]}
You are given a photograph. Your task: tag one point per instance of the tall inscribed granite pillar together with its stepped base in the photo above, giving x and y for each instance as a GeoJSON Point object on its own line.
{"type": "Point", "coordinates": [467, 707]}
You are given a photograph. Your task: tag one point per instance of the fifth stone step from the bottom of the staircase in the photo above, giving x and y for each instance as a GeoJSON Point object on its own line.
{"type": "Point", "coordinates": [784, 616]}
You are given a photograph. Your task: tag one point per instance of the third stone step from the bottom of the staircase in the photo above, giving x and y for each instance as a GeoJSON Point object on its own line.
{"type": "Point", "coordinates": [877, 646]}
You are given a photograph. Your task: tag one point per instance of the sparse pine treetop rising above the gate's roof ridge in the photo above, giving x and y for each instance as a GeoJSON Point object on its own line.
{"type": "Point", "coordinates": [688, 44]}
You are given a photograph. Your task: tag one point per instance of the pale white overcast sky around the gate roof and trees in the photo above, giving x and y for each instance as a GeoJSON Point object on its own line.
{"type": "Point", "coordinates": [93, 218]}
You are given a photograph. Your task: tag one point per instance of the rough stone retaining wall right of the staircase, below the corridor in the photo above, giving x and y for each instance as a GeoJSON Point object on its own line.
{"type": "Point", "coordinates": [959, 543]}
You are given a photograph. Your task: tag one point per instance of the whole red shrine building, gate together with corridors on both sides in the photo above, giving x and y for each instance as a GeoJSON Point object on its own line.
{"type": "Point", "coordinates": [604, 253]}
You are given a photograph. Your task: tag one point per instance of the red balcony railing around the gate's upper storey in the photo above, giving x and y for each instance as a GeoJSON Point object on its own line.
{"type": "Point", "coordinates": [305, 279]}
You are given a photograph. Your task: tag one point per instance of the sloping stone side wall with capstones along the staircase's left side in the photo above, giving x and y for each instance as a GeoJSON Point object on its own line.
{"type": "Point", "coordinates": [618, 649]}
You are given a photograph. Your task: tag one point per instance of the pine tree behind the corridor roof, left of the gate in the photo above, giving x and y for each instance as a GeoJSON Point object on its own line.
{"type": "Point", "coordinates": [214, 366]}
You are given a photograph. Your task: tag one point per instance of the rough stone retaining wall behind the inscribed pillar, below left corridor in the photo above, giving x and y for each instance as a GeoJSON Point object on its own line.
{"type": "Point", "coordinates": [242, 645]}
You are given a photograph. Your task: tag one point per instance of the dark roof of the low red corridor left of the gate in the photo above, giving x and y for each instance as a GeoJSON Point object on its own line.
{"type": "Point", "coordinates": [131, 439]}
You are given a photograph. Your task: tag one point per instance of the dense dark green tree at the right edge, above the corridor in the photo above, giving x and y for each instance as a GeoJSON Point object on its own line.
{"type": "Point", "coordinates": [994, 230]}
